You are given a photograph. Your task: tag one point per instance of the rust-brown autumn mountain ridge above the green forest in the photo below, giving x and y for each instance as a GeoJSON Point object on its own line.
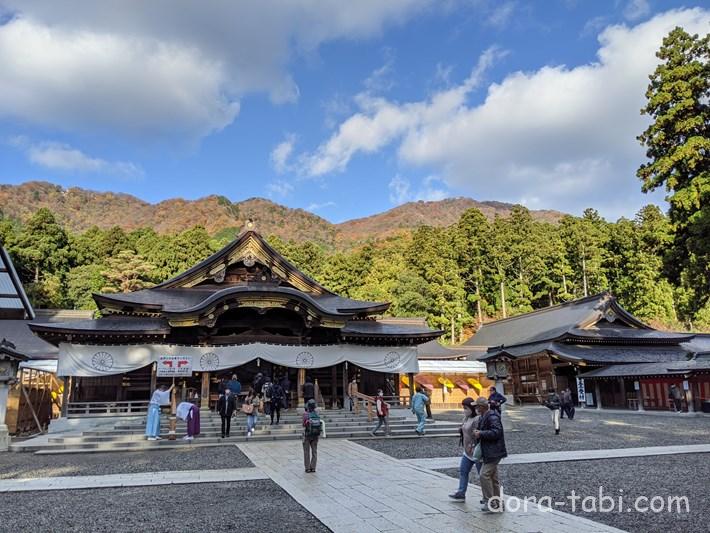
{"type": "Point", "coordinates": [79, 209]}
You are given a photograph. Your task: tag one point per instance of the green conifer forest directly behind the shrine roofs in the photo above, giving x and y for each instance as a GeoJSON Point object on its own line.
{"type": "Point", "coordinates": [473, 270]}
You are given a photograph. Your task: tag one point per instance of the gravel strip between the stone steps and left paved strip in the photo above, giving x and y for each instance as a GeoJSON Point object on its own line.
{"type": "Point", "coordinates": [26, 465]}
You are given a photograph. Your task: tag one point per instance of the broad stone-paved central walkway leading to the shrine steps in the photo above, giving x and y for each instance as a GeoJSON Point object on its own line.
{"type": "Point", "coordinates": [357, 489]}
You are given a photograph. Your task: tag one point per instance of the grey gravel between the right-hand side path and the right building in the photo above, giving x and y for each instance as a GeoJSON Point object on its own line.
{"type": "Point", "coordinates": [532, 433]}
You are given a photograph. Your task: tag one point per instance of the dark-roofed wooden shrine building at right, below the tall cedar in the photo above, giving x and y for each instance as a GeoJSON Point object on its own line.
{"type": "Point", "coordinates": [604, 354]}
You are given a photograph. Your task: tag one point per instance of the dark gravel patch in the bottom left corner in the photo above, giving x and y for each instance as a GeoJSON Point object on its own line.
{"type": "Point", "coordinates": [254, 506]}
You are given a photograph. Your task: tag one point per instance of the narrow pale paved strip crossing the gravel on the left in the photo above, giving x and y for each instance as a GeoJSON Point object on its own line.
{"type": "Point", "coordinates": [131, 480]}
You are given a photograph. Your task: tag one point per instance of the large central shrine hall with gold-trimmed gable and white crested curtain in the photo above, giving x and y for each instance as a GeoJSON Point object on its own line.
{"type": "Point", "coordinates": [243, 310]}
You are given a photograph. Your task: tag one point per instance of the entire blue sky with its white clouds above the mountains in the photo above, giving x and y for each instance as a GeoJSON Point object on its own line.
{"type": "Point", "coordinates": [345, 109]}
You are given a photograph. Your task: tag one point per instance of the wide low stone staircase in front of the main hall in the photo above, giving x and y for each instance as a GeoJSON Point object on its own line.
{"type": "Point", "coordinates": [129, 434]}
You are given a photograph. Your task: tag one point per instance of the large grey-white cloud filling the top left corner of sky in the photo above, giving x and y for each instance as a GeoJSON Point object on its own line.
{"type": "Point", "coordinates": [170, 67]}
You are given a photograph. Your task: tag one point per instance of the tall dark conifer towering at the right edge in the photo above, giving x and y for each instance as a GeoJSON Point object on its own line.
{"type": "Point", "coordinates": [678, 143]}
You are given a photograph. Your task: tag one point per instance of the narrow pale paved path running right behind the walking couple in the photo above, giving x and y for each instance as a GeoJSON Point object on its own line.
{"type": "Point", "coordinates": [440, 463]}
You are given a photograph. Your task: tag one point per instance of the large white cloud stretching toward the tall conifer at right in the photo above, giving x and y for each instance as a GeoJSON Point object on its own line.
{"type": "Point", "coordinates": [564, 134]}
